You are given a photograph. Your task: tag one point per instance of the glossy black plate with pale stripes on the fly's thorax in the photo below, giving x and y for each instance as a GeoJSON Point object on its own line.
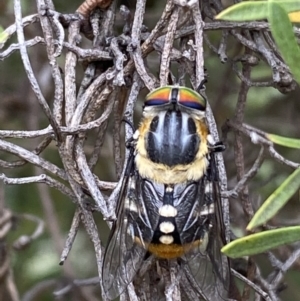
{"type": "Point", "coordinates": [172, 138]}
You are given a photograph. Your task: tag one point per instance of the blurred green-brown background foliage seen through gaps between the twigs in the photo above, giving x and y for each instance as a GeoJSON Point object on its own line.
{"type": "Point", "coordinates": [35, 269]}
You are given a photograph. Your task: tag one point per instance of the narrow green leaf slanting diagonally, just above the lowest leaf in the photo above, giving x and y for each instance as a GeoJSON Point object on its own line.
{"type": "Point", "coordinates": [276, 200]}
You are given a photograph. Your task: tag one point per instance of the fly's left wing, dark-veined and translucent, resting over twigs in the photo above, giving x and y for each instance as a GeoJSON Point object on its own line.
{"type": "Point", "coordinates": [129, 236]}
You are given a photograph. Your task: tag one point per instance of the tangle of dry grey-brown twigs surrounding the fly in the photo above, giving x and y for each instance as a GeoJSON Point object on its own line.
{"type": "Point", "coordinates": [116, 69]}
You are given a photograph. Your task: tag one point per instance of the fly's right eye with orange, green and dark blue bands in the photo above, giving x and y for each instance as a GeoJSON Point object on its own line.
{"type": "Point", "coordinates": [191, 99]}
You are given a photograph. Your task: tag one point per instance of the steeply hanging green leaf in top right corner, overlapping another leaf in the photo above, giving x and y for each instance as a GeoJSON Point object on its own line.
{"type": "Point", "coordinates": [282, 31]}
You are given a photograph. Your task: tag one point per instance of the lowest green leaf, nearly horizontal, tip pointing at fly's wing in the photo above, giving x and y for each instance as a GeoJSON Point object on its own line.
{"type": "Point", "coordinates": [261, 242]}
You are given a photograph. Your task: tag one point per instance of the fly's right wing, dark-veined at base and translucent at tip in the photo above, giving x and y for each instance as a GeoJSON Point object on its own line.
{"type": "Point", "coordinates": [201, 234]}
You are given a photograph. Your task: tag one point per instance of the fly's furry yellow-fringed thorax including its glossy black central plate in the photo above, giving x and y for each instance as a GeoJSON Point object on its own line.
{"type": "Point", "coordinates": [172, 147]}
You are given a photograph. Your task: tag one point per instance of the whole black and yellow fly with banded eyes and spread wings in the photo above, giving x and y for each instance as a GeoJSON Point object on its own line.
{"type": "Point", "coordinates": [170, 203]}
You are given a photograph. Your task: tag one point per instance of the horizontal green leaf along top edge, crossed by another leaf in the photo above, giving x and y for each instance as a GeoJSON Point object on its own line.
{"type": "Point", "coordinates": [255, 10]}
